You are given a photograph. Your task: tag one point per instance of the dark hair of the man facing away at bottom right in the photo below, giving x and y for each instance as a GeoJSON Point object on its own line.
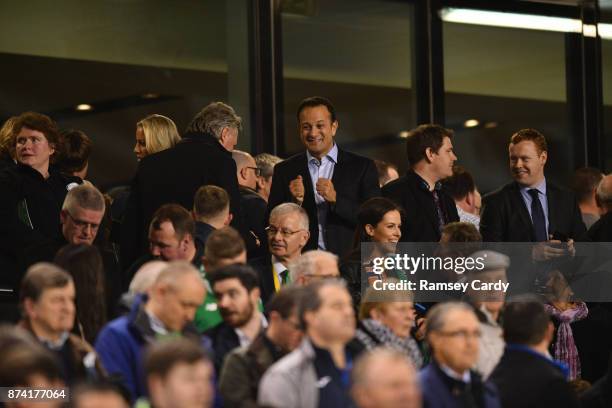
{"type": "Point", "coordinates": [525, 321]}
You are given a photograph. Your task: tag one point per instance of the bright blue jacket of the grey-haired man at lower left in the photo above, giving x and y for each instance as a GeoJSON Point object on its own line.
{"type": "Point", "coordinates": [122, 342]}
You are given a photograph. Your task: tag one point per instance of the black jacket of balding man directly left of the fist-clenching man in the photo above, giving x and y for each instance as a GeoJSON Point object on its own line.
{"type": "Point", "coordinates": [253, 214]}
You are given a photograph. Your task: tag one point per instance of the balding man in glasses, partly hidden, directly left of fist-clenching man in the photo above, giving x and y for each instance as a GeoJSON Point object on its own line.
{"type": "Point", "coordinates": [253, 207]}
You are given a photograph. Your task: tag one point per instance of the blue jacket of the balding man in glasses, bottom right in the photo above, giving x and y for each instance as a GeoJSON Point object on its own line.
{"type": "Point", "coordinates": [438, 389]}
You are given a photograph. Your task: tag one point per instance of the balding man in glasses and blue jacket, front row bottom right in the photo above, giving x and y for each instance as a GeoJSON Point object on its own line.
{"type": "Point", "coordinates": [453, 332]}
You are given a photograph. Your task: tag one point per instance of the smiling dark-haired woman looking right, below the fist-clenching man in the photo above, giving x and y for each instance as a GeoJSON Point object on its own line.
{"type": "Point", "coordinates": [379, 224]}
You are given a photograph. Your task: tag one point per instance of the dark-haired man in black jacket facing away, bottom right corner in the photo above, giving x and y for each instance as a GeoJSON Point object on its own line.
{"type": "Point", "coordinates": [526, 376]}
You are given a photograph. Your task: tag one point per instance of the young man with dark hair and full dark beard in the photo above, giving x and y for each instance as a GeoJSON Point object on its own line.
{"type": "Point", "coordinates": [237, 291]}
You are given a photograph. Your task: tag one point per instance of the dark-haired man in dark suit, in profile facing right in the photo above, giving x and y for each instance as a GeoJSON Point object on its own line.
{"type": "Point", "coordinates": [427, 206]}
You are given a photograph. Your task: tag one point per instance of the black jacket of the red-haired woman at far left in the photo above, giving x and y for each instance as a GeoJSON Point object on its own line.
{"type": "Point", "coordinates": [30, 208]}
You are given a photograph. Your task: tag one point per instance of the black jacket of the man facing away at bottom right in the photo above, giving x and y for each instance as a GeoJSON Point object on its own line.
{"type": "Point", "coordinates": [527, 380]}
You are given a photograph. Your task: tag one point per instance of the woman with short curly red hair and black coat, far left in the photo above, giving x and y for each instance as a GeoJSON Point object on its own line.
{"type": "Point", "coordinates": [32, 192]}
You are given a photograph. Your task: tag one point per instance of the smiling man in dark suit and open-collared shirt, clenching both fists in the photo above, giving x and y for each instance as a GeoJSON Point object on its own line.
{"type": "Point", "coordinates": [328, 182]}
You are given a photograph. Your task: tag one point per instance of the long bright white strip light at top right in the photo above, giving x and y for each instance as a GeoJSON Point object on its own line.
{"type": "Point", "coordinates": [511, 20]}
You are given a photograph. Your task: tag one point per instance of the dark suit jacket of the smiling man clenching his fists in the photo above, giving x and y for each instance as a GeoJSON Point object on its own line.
{"type": "Point", "coordinates": [355, 180]}
